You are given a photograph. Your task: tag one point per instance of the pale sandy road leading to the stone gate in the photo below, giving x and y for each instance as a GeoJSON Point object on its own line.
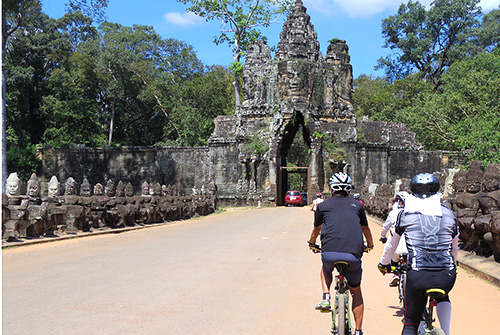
{"type": "Point", "coordinates": [239, 272]}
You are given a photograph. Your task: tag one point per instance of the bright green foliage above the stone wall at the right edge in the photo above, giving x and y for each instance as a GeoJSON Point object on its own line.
{"type": "Point", "coordinates": [463, 115]}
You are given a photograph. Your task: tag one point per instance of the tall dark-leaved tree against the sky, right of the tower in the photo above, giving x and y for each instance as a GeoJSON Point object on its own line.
{"type": "Point", "coordinates": [429, 41]}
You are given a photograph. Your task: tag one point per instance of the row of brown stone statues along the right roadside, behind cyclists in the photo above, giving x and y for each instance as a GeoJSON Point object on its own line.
{"type": "Point", "coordinates": [473, 195]}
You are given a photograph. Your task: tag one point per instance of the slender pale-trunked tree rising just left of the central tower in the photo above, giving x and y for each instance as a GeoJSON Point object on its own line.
{"type": "Point", "coordinates": [239, 22]}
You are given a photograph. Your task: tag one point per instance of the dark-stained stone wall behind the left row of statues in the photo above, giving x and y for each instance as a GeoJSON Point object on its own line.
{"type": "Point", "coordinates": [184, 167]}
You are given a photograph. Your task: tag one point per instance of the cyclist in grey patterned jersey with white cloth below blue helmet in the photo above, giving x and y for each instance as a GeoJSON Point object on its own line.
{"type": "Point", "coordinates": [431, 233]}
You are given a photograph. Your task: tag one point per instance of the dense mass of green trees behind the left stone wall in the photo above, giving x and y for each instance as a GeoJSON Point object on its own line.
{"type": "Point", "coordinates": [71, 82]}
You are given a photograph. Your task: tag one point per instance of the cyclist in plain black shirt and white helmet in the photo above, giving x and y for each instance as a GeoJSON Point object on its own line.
{"type": "Point", "coordinates": [342, 222]}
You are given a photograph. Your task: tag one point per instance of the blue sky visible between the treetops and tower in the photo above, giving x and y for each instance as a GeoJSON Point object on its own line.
{"type": "Point", "coordinates": [356, 21]}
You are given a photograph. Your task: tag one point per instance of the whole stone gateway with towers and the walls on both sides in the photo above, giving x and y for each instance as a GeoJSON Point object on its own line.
{"type": "Point", "coordinates": [298, 91]}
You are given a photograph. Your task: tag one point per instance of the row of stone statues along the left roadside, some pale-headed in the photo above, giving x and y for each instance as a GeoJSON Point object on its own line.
{"type": "Point", "coordinates": [97, 208]}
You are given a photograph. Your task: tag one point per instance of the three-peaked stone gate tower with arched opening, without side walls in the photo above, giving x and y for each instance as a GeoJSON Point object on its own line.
{"type": "Point", "coordinates": [298, 88]}
